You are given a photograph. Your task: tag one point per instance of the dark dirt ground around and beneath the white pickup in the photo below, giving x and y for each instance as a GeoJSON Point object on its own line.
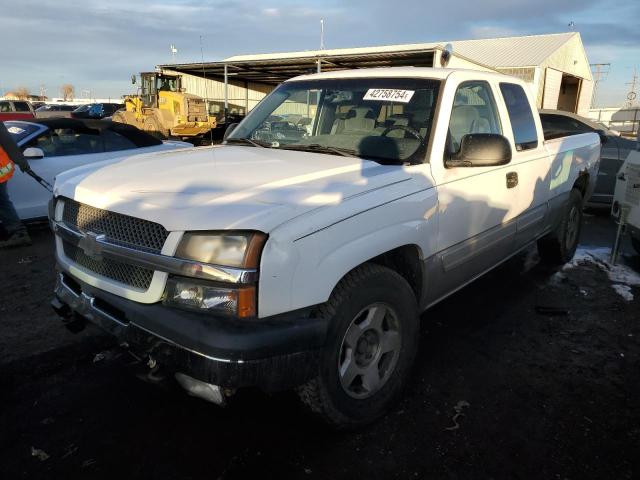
{"type": "Point", "coordinates": [543, 366]}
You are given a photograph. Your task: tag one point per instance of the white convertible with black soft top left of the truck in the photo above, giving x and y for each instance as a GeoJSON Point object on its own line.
{"type": "Point", "coordinates": [58, 144]}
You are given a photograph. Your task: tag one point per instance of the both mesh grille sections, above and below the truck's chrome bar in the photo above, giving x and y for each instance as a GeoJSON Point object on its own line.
{"type": "Point", "coordinates": [127, 231]}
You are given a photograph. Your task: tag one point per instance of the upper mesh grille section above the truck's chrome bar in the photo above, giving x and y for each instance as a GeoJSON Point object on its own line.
{"type": "Point", "coordinates": [122, 229]}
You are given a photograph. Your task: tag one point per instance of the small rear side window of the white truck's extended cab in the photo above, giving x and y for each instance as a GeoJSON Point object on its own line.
{"type": "Point", "coordinates": [523, 125]}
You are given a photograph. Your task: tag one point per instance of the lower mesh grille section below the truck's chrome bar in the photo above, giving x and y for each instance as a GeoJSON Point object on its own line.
{"type": "Point", "coordinates": [130, 275]}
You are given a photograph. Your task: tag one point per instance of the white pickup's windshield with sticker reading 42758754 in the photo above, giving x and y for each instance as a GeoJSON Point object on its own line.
{"type": "Point", "coordinates": [384, 119]}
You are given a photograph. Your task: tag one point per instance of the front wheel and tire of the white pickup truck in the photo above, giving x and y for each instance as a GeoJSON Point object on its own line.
{"type": "Point", "coordinates": [367, 289]}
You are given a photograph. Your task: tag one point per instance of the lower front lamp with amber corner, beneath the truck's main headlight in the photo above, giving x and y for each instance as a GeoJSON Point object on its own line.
{"type": "Point", "coordinates": [205, 297]}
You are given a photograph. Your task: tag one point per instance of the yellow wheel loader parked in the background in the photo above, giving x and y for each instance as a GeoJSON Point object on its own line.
{"type": "Point", "coordinates": [163, 109]}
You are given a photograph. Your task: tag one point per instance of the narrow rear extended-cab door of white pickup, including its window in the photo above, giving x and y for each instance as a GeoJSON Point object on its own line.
{"type": "Point", "coordinates": [530, 163]}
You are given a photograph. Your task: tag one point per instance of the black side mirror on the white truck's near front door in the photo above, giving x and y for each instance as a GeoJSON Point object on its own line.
{"type": "Point", "coordinates": [481, 150]}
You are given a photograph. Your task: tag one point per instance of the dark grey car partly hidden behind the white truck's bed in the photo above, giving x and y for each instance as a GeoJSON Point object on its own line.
{"type": "Point", "coordinates": [615, 148]}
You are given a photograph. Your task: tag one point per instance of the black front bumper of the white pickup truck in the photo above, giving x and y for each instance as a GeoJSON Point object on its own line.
{"type": "Point", "coordinates": [275, 353]}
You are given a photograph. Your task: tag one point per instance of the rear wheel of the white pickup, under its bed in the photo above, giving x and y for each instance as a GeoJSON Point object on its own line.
{"type": "Point", "coordinates": [559, 246]}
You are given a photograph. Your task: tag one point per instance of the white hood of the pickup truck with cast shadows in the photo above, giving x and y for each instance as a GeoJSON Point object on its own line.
{"type": "Point", "coordinates": [224, 187]}
